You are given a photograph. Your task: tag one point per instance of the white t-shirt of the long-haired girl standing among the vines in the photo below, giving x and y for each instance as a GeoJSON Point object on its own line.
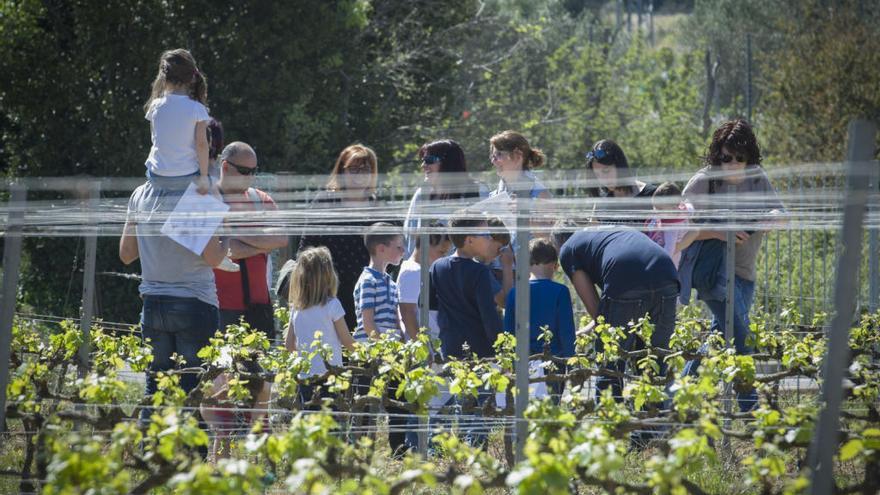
{"type": "Point", "coordinates": [319, 319]}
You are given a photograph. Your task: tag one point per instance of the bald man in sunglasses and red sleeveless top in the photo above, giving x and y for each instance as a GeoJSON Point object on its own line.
{"type": "Point", "coordinates": [245, 294]}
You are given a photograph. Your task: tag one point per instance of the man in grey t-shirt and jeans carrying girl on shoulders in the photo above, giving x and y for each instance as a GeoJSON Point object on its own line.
{"type": "Point", "coordinates": [180, 299]}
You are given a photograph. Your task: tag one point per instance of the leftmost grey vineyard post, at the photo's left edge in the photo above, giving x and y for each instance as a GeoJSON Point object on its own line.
{"type": "Point", "coordinates": [11, 267]}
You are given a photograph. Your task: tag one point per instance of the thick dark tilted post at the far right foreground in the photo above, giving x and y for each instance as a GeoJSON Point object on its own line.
{"type": "Point", "coordinates": [860, 151]}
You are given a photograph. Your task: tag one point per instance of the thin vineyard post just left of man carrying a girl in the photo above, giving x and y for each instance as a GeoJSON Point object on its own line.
{"type": "Point", "coordinates": [91, 193]}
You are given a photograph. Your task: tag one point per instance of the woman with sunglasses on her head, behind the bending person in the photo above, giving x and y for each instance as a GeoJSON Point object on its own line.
{"type": "Point", "coordinates": [609, 174]}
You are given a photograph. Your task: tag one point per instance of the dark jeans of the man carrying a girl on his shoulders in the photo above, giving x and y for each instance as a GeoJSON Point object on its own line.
{"type": "Point", "coordinates": [176, 325]}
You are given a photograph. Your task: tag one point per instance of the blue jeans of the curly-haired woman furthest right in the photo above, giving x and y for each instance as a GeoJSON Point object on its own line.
{"type": "Point", "coordinates": [743, 298]}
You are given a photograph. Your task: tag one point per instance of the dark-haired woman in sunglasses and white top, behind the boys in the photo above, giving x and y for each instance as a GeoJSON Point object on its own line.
{"type": "Point", "coordinates": [446, 181]}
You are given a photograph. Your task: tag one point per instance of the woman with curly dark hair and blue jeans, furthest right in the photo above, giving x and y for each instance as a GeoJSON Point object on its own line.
{"type": "Point", "coordinates": [731, 179]}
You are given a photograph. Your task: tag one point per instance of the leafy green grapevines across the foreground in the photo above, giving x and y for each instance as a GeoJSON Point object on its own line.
{"type": "Point", "coordinates": [577, 442]}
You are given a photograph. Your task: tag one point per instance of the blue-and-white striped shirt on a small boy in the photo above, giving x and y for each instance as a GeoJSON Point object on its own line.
{"type": "Point", "coordinates": [375, 290]}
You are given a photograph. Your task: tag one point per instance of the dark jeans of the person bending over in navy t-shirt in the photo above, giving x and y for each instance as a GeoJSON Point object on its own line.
{"type": "Point", "coordinates": [658, 304]}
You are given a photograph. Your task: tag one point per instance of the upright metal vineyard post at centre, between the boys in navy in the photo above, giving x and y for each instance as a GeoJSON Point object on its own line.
{"type": "Point", "coordinates": [523, 302]}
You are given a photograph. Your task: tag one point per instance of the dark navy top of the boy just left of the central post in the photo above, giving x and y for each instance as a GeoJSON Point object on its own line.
{"type": "Point", "coordinates": [463, 291]}
